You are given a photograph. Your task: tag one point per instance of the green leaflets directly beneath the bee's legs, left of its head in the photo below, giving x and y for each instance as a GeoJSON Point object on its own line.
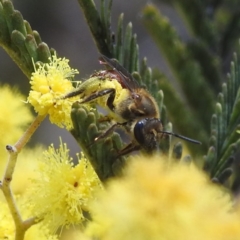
{"type": "Point", "coordinates": [103, 153]}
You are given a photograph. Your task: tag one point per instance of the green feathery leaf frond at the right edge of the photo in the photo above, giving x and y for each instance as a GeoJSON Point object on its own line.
{"type": "Point", "coordinates": [224, 140]}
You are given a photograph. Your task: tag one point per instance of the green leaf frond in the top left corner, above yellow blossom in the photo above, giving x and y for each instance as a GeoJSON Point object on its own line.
{"type": "Point", "coordinates": [23, 44]}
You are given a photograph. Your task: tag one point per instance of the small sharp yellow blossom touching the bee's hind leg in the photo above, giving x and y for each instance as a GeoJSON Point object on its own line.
{"type": "Point", "coordinates": [49, 83]}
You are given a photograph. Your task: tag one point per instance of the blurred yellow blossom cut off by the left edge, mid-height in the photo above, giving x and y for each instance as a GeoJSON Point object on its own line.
{"type": "Point", "coordinates": [14, 116]}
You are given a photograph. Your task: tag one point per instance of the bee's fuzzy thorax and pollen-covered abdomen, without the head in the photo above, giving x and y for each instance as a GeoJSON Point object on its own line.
{"type": "Point", "coordinates": [107, 89]}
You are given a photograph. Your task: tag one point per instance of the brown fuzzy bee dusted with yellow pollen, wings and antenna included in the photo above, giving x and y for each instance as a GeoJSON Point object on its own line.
{"type": "Point", "coordinates": [129, 105]}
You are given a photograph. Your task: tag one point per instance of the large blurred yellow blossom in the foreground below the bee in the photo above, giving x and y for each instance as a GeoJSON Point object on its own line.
{"type": "Point", "coordinates": [155, 201]}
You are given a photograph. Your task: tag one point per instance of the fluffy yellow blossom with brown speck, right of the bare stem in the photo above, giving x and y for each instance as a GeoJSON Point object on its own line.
{"type": "Point", "coordinates": [60, 192]}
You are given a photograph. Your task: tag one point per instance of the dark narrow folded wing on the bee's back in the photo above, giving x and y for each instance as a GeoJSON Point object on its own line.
{"type": "Point", "coordinates": [127, 79]}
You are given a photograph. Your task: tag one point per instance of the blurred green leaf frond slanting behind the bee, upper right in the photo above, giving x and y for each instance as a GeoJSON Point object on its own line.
{"type": "Point", "coordinates": [186, 70]}
